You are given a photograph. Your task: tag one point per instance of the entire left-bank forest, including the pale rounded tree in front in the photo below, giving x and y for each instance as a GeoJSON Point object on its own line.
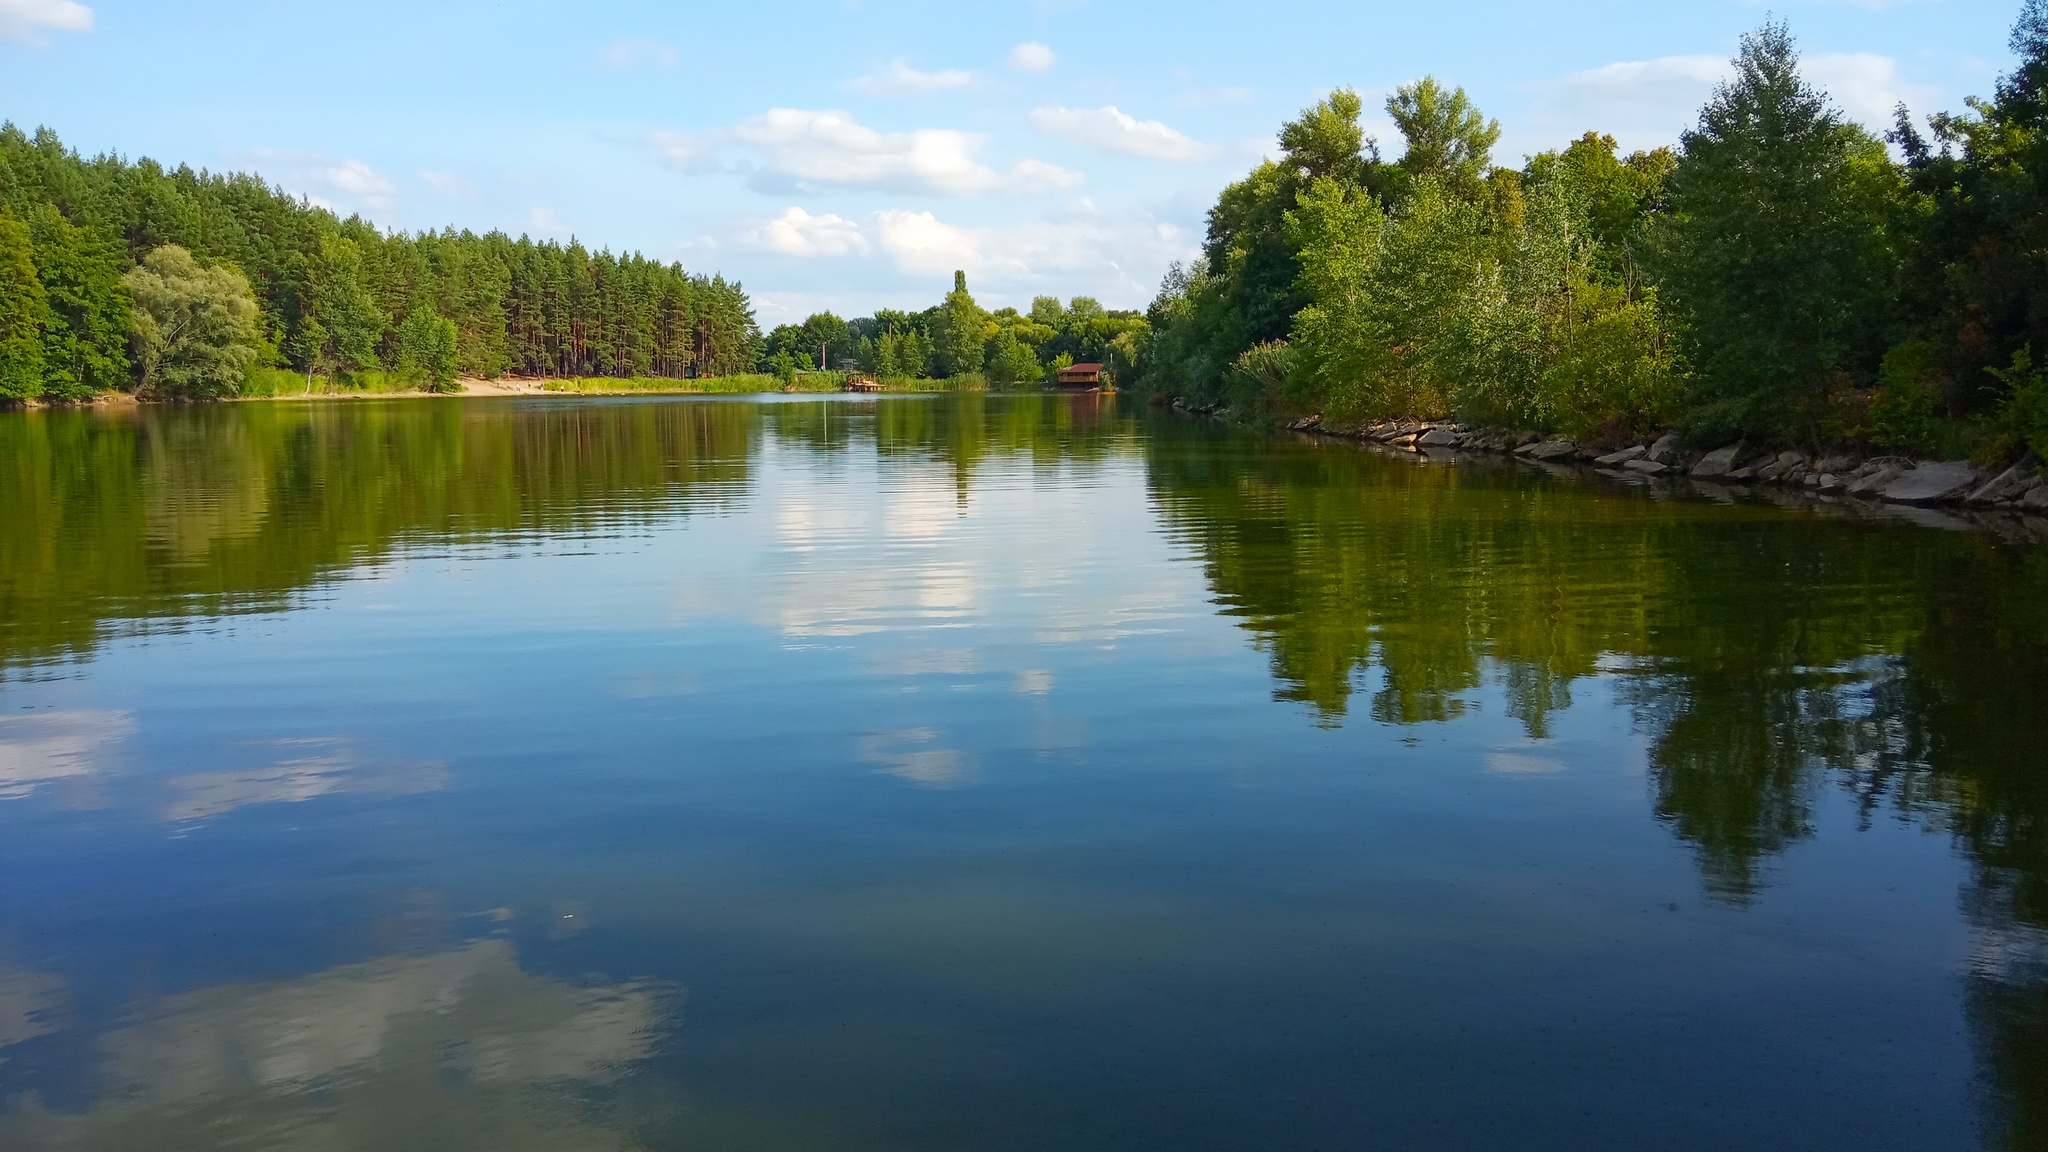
{"type": "Point", "coordinates": [122, 274]}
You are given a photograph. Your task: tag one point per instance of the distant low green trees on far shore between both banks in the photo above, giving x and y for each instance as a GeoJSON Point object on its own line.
{"type": "Point", "coordinates": [962, 341]}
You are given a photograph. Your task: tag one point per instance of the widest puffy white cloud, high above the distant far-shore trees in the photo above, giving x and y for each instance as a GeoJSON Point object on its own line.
{"type": "Point", "coordinates": [798, 147]}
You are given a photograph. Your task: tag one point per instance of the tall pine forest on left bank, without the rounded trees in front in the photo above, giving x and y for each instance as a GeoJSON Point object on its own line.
{"type": "Point", "coordinates": [331, 292]}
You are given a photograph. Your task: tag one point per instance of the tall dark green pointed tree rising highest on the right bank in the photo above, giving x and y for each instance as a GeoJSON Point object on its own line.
{"type": "Point", "coordinates": [1777, 317]}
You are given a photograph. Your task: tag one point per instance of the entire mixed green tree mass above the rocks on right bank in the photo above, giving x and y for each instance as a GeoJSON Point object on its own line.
{"type": "Point", "coordinates": [1779, 274]}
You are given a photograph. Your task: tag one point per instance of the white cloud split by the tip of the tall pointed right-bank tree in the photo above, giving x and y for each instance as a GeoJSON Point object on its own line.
{"type": "Point", "coordinates": [1648, 104]}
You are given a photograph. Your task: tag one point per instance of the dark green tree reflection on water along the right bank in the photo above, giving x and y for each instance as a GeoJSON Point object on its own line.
{"type": "Point", "coordinates": [1766, 653]}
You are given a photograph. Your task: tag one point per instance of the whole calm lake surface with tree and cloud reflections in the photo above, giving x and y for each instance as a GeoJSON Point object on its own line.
{"type": "Point", "coordinates": [976, 774]}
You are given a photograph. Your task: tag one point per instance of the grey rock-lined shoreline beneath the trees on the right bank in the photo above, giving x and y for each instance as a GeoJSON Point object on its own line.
{"type": "Point", "coordinates": [1953, 495]}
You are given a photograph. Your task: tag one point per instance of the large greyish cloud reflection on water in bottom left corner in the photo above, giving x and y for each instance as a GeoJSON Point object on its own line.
{"type": "Point", "coordinates": [452, 1051]}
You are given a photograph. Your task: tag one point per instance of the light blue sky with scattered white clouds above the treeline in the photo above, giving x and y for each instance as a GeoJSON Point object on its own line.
{"type": "Point", "coordinates": [849, 155]}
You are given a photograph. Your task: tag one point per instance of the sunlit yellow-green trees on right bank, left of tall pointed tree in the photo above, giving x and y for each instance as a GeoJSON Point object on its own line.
{"type": "Point", "coordinates": [1443, 306]}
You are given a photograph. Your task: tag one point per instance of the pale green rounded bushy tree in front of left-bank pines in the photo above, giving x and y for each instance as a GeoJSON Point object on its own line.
{"type": "Point", "coordinates": [196, 327]}
